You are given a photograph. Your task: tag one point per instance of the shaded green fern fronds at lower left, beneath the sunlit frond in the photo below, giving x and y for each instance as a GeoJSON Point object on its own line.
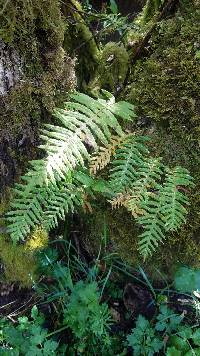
{"type": "Point", "coordinates": [43, 205]}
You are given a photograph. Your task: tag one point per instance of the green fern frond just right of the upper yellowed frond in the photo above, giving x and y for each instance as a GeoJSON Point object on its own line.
{"type": "Point", "coordinates": [128, 159]}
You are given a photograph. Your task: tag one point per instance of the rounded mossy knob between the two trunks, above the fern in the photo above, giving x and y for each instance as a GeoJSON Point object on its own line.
{"type": "Point", "coordinates": [113, 66]}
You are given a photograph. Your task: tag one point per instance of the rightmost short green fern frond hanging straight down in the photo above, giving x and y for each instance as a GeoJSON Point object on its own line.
{"type": "Point", "coordinates": [175, 200]}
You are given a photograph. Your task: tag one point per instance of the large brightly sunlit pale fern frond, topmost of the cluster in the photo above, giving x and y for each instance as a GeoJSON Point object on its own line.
{"type": "Point", "coordinates": [86, 122]}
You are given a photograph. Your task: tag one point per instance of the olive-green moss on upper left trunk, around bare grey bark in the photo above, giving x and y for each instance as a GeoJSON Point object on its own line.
{"type": "Point", "coordinates": [36, 30]}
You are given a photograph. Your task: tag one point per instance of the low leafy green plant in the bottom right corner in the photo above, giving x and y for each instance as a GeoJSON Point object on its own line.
{"type": "Point", "coordinates": [168, 335]}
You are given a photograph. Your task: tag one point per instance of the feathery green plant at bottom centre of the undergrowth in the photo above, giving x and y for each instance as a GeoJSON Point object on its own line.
{"type": "Point", "coordinates": [87, 318]}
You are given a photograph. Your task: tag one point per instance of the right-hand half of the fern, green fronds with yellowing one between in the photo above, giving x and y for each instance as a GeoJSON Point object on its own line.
{"type": "Point", "coordinates": [152, 192]}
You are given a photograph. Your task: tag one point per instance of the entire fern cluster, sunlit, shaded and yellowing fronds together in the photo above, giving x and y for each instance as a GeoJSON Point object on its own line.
{"type": "Point", "coordinates": [153, 193]}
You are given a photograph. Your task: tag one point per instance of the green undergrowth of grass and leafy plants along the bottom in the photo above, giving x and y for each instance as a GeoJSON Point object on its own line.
{"type": "Point", "coordinates": [82, 313]}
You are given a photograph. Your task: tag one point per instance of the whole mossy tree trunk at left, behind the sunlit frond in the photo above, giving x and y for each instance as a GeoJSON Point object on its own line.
{"type": "Point", "coordinates": [36, 73]}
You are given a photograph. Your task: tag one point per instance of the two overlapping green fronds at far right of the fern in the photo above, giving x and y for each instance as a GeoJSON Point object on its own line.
{"type": "Point", "coordinates": [164, 210]}
